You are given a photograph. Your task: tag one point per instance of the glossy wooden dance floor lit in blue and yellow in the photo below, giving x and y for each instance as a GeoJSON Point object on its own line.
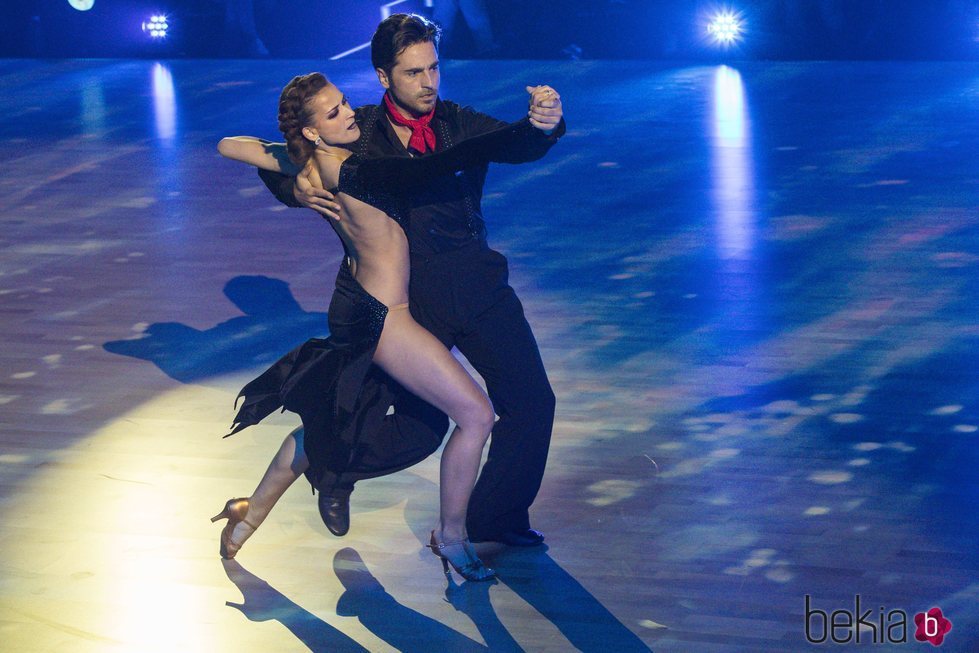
{"type": "Point", "coordinates": [754, 287]}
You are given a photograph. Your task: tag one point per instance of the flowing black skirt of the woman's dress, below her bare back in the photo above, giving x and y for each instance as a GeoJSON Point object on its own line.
{"type": "Point", "coordinates": [342, 397]}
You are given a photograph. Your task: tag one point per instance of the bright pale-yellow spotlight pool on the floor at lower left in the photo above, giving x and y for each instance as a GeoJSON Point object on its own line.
{"type": "Point", "coordinates": [120, 545]}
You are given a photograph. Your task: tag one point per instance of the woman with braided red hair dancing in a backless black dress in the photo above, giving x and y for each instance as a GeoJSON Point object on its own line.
{"type": "Point", "coordinates": [322, 380]}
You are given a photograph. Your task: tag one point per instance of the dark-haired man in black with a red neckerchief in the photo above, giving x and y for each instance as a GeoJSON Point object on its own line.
{"type": "Point", "coordinates": [459, 286]}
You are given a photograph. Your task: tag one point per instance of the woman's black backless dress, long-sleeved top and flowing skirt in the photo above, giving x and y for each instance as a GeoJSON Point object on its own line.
{"type": "Point", "coordinates": [331, 382]}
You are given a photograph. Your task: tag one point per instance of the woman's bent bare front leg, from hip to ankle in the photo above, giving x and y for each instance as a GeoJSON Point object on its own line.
{"type": "Point", "coordinates": [422, 364]}
